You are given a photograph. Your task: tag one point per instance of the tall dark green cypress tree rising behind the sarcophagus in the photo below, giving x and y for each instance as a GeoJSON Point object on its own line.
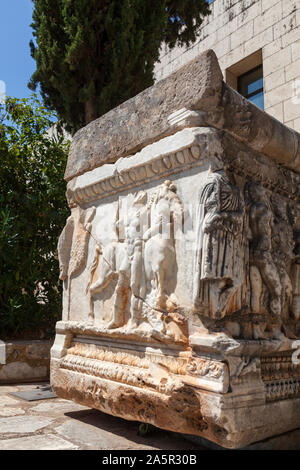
{"type": "Point", "coordinates": [92, 55]}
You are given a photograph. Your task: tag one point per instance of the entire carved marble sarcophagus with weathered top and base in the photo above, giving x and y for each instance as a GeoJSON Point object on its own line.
{"type": "Point", "coordinates": [180, 263]}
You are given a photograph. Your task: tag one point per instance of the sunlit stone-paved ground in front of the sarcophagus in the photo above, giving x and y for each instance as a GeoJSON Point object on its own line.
{"type": "Point", "coordinates": [57, 424]}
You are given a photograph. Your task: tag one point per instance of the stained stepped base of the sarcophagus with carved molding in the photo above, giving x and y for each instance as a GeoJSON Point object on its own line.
{"type": "Point", "coordinates": [167, 386]}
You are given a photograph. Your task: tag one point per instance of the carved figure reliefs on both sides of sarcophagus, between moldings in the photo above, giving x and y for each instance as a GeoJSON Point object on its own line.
{"type": "Point", "coordinates": [209, 247]}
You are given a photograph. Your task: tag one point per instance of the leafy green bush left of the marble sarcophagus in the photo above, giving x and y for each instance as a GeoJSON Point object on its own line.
{"type": "Point", "coordinates": [32, 214]}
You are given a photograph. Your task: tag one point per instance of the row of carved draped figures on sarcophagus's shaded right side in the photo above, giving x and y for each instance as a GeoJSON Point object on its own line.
{"type": "Point", "coordinates": [246, 258]}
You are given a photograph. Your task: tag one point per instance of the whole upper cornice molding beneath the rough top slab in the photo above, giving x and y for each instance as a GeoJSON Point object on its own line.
{"type": "Point", "coordinates": [186, 149]}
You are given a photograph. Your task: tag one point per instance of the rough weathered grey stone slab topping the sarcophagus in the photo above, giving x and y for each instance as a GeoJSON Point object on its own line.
{"type": "Point", "coordinates": [195, 95]}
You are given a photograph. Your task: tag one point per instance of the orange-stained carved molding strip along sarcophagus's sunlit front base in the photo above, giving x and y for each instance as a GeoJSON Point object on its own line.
{"type": "Point", "coordinates": [146, 368]}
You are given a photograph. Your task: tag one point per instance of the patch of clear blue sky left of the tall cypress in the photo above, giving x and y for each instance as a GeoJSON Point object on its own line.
{"type": "Point", "coordinates": [16, 64]}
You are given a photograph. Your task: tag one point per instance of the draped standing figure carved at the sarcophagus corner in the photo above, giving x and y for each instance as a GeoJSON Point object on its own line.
{"type": "Point", "coordinates": [219, 260]}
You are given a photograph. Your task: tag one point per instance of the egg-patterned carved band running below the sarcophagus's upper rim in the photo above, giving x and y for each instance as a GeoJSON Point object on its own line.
{"type": "Point", "coordinates": [283, 181]}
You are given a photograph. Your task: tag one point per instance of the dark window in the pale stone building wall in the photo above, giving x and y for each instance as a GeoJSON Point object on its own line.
{"type": "Point", "coordinates": [251, 85]}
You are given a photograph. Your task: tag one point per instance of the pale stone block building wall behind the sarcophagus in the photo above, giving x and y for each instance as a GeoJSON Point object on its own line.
{"type": "Point", "coordinates": [244, 34]}
